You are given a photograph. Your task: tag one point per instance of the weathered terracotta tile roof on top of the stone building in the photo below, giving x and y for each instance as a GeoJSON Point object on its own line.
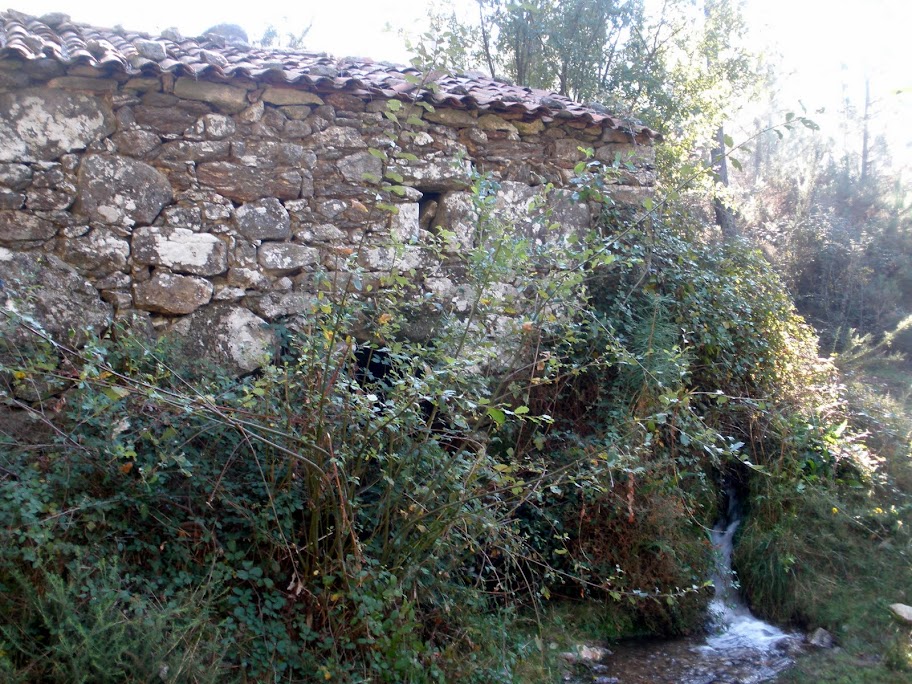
{"type": "Point", "coordinates": [56, 37]}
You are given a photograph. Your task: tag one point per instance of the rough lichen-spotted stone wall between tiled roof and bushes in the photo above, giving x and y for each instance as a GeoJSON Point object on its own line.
{"type": "Point", "coordinates": [208, 207]}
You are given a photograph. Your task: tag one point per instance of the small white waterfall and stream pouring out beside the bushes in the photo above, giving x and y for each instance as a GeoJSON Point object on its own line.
{"type": "Point", "coordinates": [739, 648]}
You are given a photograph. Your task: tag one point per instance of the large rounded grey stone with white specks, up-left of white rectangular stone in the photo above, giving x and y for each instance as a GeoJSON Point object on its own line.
{"type": "Point", "coordinates": [121, 191]}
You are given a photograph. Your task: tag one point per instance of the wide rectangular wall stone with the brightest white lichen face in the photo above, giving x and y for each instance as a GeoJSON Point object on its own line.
{"type": "Point", "coordinates": [181, 250]}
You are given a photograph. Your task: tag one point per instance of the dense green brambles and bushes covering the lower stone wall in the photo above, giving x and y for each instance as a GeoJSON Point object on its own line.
{"type": "Point", "coordinates": [406, 519]}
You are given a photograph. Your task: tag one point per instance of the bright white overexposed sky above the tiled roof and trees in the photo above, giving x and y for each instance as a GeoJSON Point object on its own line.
{"type": "Point", "coordinates": [826, 45]}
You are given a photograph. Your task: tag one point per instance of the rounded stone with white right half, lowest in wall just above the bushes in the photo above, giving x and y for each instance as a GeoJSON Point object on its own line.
{"type": "Point", "coordinates": [232, 337]}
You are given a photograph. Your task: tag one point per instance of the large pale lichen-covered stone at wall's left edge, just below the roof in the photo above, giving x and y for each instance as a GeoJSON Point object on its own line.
{"type": "Point", "coordinates": [44, 123]}
